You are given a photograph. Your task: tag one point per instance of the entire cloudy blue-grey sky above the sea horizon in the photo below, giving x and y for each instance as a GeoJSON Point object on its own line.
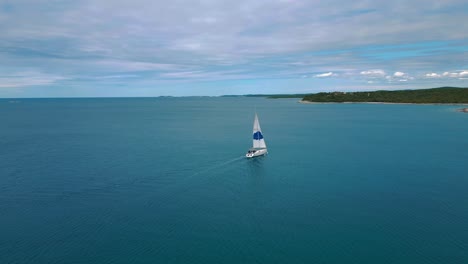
{"type": "Point", "coordinates": [55, 48]}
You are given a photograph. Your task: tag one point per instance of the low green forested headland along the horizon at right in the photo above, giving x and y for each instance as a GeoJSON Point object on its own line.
{"type": "Point", "coordinates": [442, 95]}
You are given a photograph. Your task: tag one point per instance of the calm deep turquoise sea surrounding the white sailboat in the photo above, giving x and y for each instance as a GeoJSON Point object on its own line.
{"type": "Point", "coordinates": [163, 180]}
